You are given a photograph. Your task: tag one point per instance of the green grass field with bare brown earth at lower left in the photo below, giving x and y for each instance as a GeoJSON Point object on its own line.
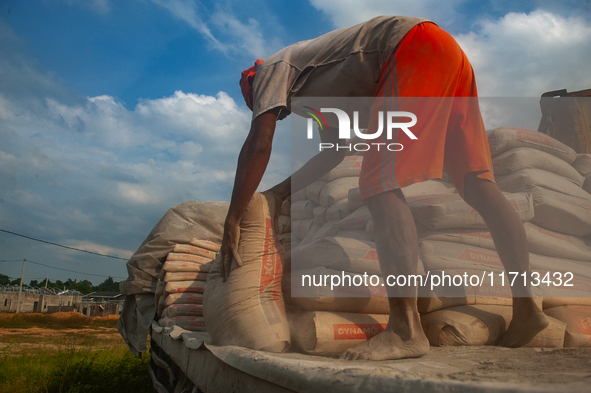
{"type": "Point", "coordinates": [41, 353]}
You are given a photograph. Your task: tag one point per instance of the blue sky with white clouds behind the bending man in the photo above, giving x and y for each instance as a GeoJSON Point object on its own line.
{"type": "Point", "coordinates": [111, 112]}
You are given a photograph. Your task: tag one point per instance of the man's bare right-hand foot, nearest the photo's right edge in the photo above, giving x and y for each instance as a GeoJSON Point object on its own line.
{"type": "Point", "coordinates": [528, 320]}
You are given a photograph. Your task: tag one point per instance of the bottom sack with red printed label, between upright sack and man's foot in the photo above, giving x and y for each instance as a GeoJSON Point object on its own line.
{"type": "Point", "coordinates": [330, 334]}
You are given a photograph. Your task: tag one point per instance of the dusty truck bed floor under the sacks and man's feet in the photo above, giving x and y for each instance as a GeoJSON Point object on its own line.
{"type": "Point", "coordinates": [212, 368]}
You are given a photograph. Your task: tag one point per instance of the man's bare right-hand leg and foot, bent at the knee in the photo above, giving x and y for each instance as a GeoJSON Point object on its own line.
{"type": "Point", "coordinates": [510, 240]}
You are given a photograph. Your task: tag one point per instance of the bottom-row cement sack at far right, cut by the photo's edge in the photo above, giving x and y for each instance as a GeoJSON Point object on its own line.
{"type": "Point", "coordinates": [578, 324]}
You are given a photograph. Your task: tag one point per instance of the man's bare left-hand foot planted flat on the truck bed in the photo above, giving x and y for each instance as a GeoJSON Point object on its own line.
{"type": "Point", "coordinates": [388, 346]}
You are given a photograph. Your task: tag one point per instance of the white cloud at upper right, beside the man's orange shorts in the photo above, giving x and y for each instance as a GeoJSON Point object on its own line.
{"type": "Point", "coordinates": [528, 54]}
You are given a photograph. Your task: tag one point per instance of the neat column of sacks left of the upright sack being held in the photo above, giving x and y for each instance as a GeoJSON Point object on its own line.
{"type": "Point", "coordinates": [179, 292]}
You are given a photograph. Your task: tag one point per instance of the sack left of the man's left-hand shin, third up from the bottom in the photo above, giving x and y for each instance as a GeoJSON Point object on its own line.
{"type": "Point", "coordinates": [339, 253]}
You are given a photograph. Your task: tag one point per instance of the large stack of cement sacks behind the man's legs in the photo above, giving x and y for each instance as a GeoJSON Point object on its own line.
{"type": "Point", "coordinates": [332, 234]}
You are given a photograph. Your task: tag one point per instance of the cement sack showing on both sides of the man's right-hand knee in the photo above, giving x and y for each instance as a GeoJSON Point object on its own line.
{"type": "Point", "coordinates": [442, 211]}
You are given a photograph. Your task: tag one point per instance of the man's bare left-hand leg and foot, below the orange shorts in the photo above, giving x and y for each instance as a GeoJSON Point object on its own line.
{"type": "Point", "coordinates": [397, 247]}
